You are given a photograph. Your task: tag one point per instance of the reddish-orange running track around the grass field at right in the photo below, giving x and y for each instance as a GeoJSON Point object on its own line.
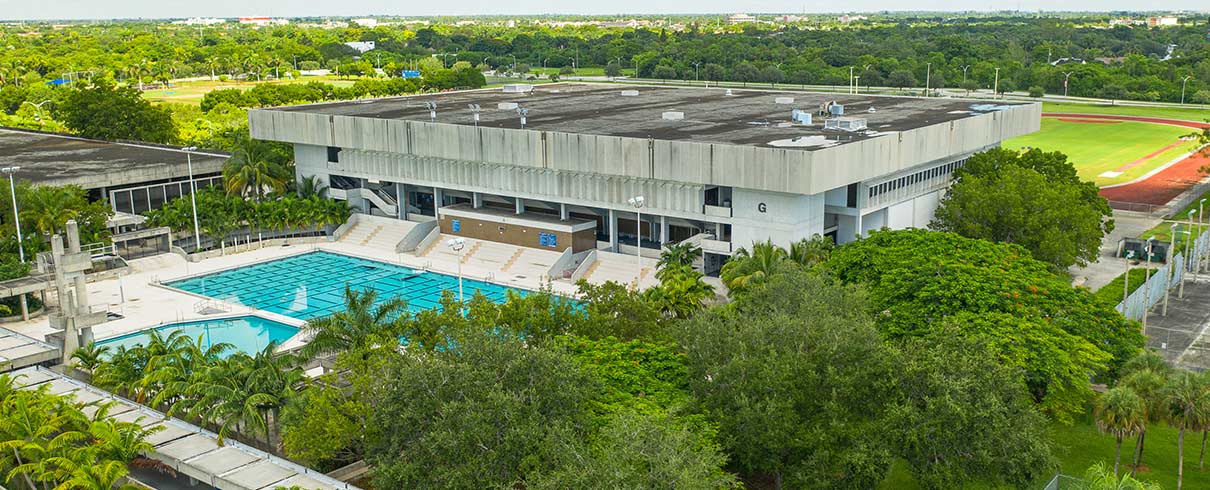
{"type": "Point", "coordinates": [1162, 187]}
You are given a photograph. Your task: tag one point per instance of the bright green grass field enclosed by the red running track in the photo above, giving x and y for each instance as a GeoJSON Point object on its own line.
{"type": "Point", "coordinates": [1099, 148]}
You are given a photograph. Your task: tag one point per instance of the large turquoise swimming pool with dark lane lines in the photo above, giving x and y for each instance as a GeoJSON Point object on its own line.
{"type": "Point", "coordinates": [313, 285]}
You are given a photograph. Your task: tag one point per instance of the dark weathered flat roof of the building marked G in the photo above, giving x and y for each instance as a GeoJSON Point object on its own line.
{"type": "Point", "coordinates": [746, 117]}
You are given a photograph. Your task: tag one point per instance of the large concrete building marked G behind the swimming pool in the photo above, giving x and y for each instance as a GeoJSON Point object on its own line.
{"type": "Point", "coordinates": [724, 168]}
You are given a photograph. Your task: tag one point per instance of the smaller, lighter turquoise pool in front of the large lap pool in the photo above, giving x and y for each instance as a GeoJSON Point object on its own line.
{"type": "Point", "coordinates": [249, 335]}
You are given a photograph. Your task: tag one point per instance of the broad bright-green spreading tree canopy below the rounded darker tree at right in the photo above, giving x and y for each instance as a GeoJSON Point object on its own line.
{"type": "Point", "coordinates": [921, 281]}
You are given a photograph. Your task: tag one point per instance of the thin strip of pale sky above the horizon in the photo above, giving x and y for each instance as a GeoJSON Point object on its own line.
{"type": "Point", "coordinates": [176, 9]}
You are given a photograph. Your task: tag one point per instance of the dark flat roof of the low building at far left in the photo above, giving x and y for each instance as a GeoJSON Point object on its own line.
{"type": "Point", "coordinates": [50, 159]}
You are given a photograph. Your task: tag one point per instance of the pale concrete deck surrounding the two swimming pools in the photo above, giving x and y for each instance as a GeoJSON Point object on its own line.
{"type": "Point", "coordinates": [145, 303]}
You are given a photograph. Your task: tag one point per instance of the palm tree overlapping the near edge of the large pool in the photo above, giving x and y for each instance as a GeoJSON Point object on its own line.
{"type": "Point", "coordinates": [360, 325]}
